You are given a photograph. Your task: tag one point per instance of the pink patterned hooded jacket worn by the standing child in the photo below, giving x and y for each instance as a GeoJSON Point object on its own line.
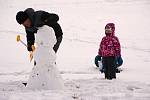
{"type": "Point", "coordinates": [110, 45]}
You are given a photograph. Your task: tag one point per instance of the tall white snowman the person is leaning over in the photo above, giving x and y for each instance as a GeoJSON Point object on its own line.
{"type": "Point", "coordinates": [45, 75]}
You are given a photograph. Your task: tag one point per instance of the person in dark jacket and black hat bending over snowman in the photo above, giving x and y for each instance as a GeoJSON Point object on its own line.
{"type": "Point", "coordinates": [31, 20]}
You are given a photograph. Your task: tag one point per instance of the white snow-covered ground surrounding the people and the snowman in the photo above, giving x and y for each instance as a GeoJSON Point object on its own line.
{"type": "Point", "coordinates": [83, 24]}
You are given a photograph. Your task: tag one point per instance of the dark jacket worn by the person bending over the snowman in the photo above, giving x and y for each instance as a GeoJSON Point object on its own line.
{"type": "Point", "coordinates": [38, 19]}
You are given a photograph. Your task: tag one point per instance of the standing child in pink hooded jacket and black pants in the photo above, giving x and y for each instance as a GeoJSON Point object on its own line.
{"type": "Point", "coordinates": [109, 50]}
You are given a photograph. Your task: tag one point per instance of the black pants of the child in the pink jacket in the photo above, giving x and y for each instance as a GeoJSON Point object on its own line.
{"type": "Point", "coordinates": [109, 67]}
